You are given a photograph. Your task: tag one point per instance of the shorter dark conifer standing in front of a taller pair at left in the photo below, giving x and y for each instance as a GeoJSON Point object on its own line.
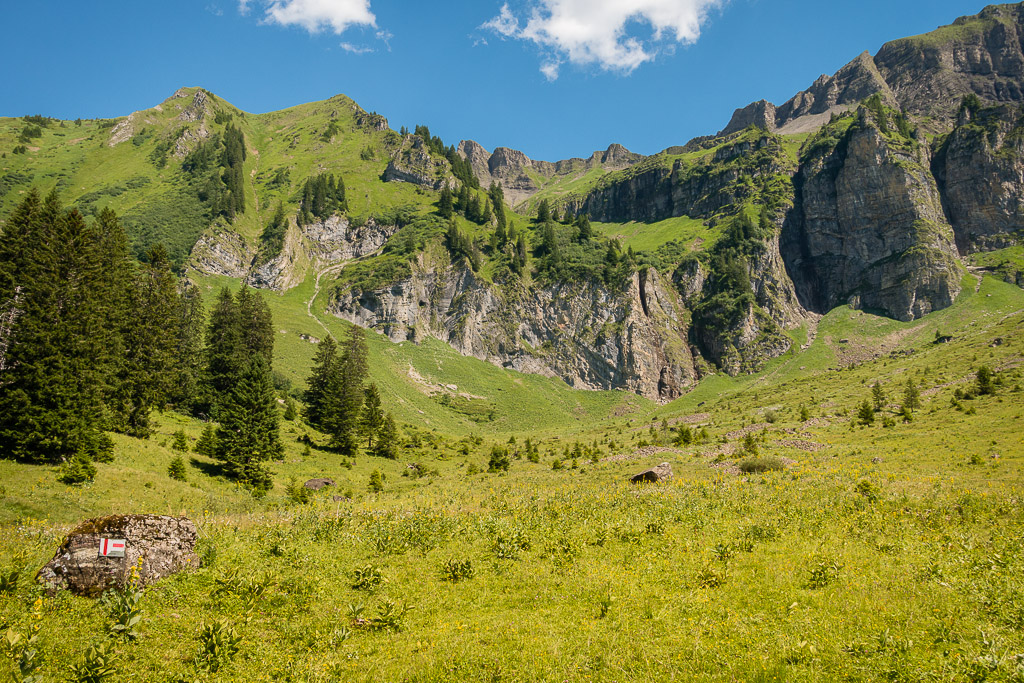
{"type": "Point", "coordinates": [249, 433]}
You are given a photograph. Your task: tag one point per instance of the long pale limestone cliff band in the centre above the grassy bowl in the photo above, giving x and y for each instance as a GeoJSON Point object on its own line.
{"type": "Point", "coordinates": [632, 338]}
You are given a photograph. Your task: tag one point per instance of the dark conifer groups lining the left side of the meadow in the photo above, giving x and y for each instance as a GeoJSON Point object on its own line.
{"type": "Point", "coordinates": [93, 341]}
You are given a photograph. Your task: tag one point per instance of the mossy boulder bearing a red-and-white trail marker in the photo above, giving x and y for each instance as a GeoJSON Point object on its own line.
{"type": "Point", "coordinates": [158, 545]}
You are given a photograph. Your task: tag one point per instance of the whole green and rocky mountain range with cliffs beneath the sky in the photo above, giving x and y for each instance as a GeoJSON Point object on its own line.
{"type": "Point", "coordinates": [878, 187]}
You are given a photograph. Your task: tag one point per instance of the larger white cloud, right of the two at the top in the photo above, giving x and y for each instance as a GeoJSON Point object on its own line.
{"type": "Point", "coordinates": [595, 32]}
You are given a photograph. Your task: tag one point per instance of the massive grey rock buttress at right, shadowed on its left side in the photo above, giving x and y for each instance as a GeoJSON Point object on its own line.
{"type": "Point", "coordinates": [872, 229]}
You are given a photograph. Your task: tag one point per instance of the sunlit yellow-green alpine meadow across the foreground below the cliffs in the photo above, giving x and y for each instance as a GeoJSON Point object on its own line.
{"type": "Point", "coordinates": [798, 576]}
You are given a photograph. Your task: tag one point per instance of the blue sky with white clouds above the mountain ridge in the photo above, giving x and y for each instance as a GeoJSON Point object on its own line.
{"type": "Point", "coordinates": [552, 78]}
